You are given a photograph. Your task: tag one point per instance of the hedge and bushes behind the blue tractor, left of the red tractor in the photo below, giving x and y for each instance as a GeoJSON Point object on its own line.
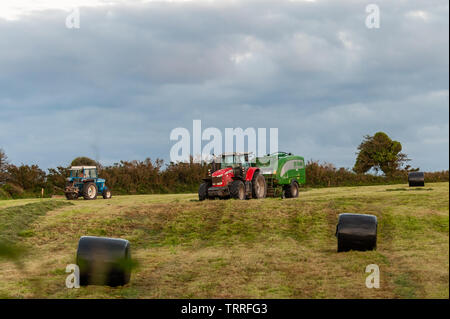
{"type": "Point", "coordinates": [125, 177]}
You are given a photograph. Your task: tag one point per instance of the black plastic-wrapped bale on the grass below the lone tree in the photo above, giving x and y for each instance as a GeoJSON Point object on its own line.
{"type": "Point", "coordinates": [356, 232]}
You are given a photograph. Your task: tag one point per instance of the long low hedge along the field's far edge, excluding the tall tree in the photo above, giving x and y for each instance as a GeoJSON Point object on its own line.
{"type": "Point", "coordinates": [155, 177]}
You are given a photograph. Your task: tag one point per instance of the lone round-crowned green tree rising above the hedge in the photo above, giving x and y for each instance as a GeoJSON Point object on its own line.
{"type": "Point", "coordinates": [379, 152]}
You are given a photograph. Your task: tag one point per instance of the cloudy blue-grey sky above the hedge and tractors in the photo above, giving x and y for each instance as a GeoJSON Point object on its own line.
{"type": "Point", "coordinates": [114, 88]}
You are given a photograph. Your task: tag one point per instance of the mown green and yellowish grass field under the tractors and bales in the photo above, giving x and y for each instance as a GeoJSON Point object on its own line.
{"type": "Point", "coordinates": [269, 248]}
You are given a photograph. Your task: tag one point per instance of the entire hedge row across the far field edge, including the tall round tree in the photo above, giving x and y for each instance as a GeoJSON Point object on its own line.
{"type": "Point", "coordinates": [378, 153]}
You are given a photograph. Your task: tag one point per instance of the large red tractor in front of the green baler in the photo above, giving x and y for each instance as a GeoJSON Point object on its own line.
{"type": "Point", "coordinates": [233, 176]}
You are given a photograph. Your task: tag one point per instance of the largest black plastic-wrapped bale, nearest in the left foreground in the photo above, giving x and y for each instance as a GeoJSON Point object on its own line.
{"type": "Point", "coordinates": [104, 261]}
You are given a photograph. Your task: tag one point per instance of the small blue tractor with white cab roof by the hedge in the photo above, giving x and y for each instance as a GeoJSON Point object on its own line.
{"type": "Point", "coordinates": [84, 181]}
